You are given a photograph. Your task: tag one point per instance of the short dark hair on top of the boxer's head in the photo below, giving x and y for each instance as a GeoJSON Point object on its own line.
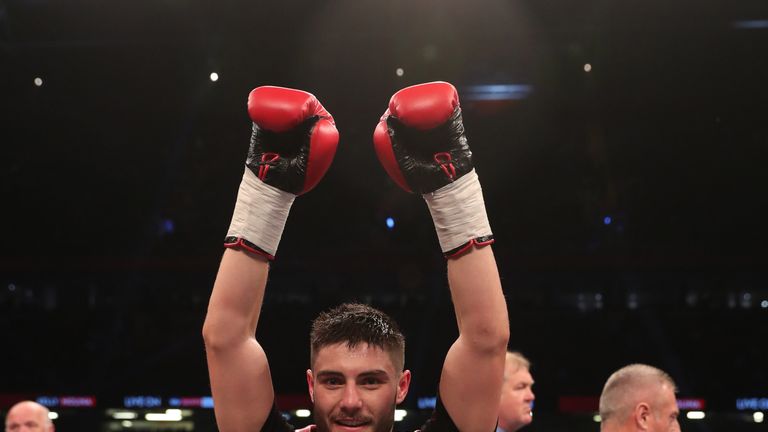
{"type": "Point", "coordinates": [353, 324]}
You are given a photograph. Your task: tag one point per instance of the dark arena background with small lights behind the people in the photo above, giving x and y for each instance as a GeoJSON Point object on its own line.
{"type": "Point", "coordinates": [622, 147]}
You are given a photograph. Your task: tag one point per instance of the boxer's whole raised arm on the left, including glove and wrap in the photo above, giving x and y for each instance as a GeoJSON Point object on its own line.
{"type": "Point", "coordinates": [293, 143]}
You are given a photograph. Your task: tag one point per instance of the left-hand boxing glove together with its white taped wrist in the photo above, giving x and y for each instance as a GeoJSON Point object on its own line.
{"type": "Point", "coordinates": [293, 143]}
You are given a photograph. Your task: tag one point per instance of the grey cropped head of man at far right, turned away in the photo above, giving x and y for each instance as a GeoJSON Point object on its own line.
{"type": "Point", "coordinates": [639, 397]}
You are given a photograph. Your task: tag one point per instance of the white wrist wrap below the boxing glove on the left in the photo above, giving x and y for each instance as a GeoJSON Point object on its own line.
{"type": "Point", "coordinates": [260, 214]}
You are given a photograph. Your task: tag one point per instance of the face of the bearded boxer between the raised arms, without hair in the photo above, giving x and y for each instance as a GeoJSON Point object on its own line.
{"type": "Point", "coordinates": [355, 390]}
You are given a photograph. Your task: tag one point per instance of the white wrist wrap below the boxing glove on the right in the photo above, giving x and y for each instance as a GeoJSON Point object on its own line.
{"type": "Point", "coordinates": [458, 211]}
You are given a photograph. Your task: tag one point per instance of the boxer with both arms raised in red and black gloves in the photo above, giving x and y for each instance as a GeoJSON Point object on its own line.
{"type": "Point", "coordinates": [356, 373]}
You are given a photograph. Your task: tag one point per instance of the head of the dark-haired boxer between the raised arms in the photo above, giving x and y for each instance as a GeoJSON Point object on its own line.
{"type": "Point", "coordinates": [356, 377]}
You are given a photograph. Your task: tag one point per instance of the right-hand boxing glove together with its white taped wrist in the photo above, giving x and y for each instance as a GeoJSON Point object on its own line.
{"type": "Point", "coordinates": [421, 143]}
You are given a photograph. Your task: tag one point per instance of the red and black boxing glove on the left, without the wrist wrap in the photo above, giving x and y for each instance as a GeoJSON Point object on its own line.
{"type": "Point", "coordinates": [294, 138]}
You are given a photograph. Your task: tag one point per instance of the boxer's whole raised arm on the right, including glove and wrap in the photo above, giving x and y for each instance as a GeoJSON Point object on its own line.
{"type": "Point", "coordinates": [421, 143]}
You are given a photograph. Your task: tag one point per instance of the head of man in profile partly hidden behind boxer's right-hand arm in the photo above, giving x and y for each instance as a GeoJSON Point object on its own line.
{"type": "Point", "coordinates": [515, 410]}
